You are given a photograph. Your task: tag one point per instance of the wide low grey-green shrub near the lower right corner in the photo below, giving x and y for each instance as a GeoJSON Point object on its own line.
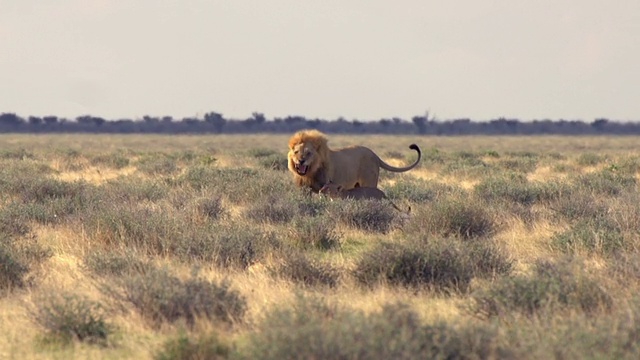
{"type": "Point", "coordinates": [553, 285]}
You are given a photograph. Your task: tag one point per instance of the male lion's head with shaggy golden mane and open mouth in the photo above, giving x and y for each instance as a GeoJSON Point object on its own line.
{"type": "Point", "coordinates": [308, 152]}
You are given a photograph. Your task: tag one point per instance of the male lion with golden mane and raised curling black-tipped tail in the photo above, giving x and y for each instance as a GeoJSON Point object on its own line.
{"type": "Point", "coordinates": [313, 164]}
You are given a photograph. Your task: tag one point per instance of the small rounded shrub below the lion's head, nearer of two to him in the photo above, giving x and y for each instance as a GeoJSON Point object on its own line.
{"type": "Point", "coordinates": [314, 232]}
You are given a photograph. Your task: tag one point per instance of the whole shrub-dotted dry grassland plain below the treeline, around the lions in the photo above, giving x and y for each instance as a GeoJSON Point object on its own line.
{"type": "Point", "coordinates": [200, 247]}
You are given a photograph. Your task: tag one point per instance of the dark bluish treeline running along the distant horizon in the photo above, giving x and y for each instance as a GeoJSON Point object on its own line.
{"type": "Point", "coordinates": [216, 123]}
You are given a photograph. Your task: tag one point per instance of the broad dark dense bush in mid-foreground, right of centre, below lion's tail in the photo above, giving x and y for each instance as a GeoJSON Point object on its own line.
{"type": "Point", "coordinates": [433, 265]}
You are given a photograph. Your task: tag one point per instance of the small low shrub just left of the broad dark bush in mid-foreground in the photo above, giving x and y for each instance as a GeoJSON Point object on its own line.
{"type": "Point", "coordinates": [303, 270]}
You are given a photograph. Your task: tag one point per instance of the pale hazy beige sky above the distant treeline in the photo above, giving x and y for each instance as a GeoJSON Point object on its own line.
{"type": "Point", "coordinates": [364, 59]}
